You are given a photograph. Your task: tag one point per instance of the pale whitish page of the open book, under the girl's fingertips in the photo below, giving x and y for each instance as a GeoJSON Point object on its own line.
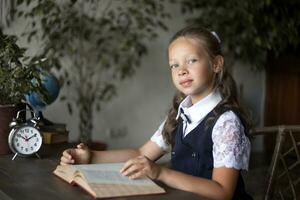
{"type": "Point", "coordinates": [109, 174]}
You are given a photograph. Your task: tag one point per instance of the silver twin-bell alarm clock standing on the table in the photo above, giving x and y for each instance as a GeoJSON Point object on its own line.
{"type": "Point", "coordinates": [25, 138]}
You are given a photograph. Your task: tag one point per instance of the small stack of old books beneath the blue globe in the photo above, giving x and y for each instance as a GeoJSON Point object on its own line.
{"type": "Point", "coordinates": [54, 133]}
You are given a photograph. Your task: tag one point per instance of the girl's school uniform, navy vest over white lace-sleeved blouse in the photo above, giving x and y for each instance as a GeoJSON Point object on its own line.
{"type": "Point", "coordinates": [208, 135]}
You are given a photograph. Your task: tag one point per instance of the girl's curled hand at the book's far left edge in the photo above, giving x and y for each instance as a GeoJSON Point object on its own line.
{"type": "Point", "coordinates": [79, 155]}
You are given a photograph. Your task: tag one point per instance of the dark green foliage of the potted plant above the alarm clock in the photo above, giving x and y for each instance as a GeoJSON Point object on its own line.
{"type": "Point", "coordinates": [15, 77]}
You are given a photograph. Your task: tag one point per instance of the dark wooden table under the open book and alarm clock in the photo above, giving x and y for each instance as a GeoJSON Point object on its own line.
{"type": "Point", "coordinates": [32, 178]}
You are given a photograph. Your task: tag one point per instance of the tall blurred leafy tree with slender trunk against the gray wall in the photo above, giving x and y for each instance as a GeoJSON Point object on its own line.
{"type": "Point", "coordinates": [100, 43]}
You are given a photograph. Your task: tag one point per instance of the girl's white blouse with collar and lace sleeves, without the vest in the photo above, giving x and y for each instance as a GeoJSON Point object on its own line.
{"type": "Point", "coordinates": [231, 147]}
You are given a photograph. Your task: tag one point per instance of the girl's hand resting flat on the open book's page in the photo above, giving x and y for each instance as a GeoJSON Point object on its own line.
{"type": "Point", "coordinates": [141, 166]}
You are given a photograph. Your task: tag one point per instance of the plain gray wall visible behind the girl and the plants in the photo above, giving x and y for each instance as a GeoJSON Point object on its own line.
{"type": "Point", "coordinates": [132, 117]}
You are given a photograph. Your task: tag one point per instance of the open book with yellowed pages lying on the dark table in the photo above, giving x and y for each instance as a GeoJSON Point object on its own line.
{"type": "Point", "coordinates": [105, 180]}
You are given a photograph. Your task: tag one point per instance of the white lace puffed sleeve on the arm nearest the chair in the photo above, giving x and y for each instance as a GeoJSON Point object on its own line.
{"type": "Point", "coordinates": [231, 147]}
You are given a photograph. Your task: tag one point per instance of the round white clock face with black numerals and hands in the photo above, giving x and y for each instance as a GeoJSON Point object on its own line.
{"type": "Point", "coordinates": [27, 140]}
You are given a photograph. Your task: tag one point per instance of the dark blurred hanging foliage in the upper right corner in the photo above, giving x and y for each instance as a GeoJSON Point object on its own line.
{"type": "Point", "coordinates": [250, 30]}
